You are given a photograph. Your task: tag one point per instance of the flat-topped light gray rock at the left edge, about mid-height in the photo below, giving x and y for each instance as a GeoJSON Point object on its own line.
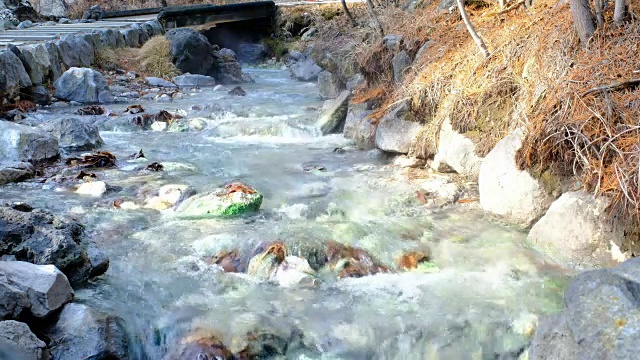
{"type": "Point", "coordinates": [24, 143]}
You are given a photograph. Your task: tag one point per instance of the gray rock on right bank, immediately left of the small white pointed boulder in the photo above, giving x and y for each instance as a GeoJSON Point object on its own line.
{"type": "Point", "coordinates": [396, 130]}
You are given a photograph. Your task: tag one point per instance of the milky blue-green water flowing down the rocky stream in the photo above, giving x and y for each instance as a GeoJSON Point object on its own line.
{"type": "Point", "coordinates": [478, 298]}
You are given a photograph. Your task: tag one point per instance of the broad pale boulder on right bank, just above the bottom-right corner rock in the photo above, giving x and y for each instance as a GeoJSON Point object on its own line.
{"type": "Point", "coordinates": [592, 237]}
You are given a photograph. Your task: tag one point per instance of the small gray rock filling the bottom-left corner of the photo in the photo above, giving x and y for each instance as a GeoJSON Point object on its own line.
{"type": "Point", "coordinates": [22, 340]}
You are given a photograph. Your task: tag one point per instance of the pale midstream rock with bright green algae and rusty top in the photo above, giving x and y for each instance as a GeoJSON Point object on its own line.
{"type": "Point", "coordinates": [234, 199]}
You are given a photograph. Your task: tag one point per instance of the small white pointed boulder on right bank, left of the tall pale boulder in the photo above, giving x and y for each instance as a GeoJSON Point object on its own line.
{"type": "Point", "coordinates": [456, 151]}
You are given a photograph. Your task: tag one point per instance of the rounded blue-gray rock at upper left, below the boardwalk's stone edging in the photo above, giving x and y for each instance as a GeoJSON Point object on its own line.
{"type": "Point", "coordinates": [83, 85]}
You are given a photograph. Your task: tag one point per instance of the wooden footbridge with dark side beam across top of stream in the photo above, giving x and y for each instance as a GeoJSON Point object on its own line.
{"type": "Point", "coordinates": [231, 17]}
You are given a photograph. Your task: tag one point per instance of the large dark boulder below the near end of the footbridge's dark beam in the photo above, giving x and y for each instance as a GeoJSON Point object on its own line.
{"type": "Point", "coordinates": [191, 51]}
